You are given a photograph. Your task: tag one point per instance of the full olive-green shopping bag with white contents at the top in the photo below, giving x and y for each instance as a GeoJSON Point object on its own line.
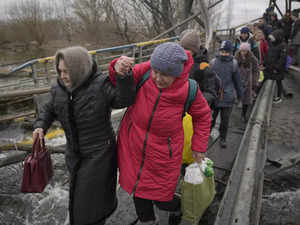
{"type": "Point", "coordinates": [198, 190]}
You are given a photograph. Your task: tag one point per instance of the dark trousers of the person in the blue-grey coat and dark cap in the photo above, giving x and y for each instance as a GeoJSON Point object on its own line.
{"type": "Point", "coordinates": [225, 117]}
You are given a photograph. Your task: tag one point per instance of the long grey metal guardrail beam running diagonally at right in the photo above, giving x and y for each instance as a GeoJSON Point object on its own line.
{"type": "Point", "coordinates": [238, 206]}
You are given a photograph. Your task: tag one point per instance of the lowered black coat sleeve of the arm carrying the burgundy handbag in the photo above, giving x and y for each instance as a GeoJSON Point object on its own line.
{"type": "Point", "coordinates": [47, 115]}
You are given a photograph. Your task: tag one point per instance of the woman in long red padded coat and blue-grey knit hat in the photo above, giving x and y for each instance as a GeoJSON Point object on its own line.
{"type": "Point", "coordinates": [150, 139]}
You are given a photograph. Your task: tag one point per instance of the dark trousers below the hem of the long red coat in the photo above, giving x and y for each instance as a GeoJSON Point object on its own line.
{"type": "Point", "coordinates": [145, 211]}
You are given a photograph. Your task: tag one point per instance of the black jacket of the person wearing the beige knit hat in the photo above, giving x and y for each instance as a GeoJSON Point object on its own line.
{"type": "Point", "coordinates": [206, 79]}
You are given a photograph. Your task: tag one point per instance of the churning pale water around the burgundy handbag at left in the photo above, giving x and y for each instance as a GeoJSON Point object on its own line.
{"type": "Point", "coordinates": [47, 208]}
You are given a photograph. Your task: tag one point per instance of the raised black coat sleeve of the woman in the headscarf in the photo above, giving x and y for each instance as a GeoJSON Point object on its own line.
{"type": "Point", "coordinates": [122, 94]}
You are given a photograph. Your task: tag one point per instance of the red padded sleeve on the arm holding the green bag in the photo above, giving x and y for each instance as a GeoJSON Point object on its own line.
{"type": "Point", "coordinates": [201, 117]}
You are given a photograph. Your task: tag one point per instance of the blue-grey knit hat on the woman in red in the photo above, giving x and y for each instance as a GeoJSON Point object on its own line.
{"type": "Point", "coordinates": [169, 59]}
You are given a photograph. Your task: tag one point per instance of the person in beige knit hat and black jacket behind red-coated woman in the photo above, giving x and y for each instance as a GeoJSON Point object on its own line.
{"type": "Point", "coordinates": [200, 71]}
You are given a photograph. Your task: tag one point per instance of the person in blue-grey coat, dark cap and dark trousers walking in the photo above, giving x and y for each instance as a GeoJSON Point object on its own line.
{"type": "Point", "coordinates": [226, 67]}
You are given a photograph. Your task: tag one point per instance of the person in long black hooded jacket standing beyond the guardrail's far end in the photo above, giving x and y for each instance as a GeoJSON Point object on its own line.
{"type": "Point", "coordinates": [275, 61]}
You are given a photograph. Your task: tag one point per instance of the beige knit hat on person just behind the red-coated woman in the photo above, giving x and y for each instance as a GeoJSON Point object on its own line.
{"type": "Point", "coordinates": [191, 41]}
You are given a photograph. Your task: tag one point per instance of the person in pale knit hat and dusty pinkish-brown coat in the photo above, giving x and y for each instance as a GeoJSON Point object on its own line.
{"type": "Point", "coordinates": [249, 73]}
